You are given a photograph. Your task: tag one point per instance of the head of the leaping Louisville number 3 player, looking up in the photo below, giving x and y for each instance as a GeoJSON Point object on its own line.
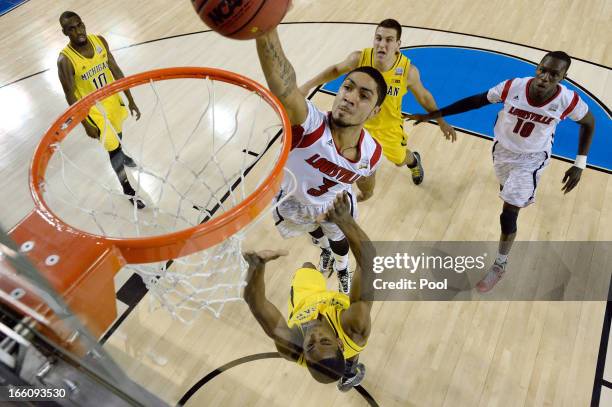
{"type": "Point", "coordinates": [359, 97]}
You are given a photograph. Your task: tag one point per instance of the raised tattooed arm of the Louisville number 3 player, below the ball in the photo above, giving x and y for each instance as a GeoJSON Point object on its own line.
{"type": "Point", "coordinates": [280, 76]}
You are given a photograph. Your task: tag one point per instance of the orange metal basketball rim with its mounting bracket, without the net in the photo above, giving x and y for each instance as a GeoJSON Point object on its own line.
{"type": "Point", "coordinates": [79, 265]}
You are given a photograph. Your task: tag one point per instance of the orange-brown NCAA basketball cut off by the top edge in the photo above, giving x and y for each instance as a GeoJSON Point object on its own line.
{"type": "Point", "coordinates": [241, 19]}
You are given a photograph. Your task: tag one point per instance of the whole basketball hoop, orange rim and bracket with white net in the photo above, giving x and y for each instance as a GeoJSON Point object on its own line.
{"type": "Point", "coordinates": [217, 181]}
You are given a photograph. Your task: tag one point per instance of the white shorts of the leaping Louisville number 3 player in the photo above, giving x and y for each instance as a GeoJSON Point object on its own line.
{"type": "Point", "coordinates": [293, 218]}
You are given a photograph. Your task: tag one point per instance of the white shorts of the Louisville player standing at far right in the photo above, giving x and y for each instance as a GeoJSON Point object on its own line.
{"type": "Point", "coordinates": [518, 173]}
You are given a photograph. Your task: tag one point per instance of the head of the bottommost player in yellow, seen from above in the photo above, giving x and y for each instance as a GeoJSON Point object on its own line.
{"type": "Point", "coordinates": [323, 352]}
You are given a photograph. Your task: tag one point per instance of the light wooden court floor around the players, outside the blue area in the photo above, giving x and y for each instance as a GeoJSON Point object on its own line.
{"type": "Point", "coordinates": [477, 353]}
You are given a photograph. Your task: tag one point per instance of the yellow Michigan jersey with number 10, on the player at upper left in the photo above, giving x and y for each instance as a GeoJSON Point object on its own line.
{"type": "Point", "coordinates": [92, 73]}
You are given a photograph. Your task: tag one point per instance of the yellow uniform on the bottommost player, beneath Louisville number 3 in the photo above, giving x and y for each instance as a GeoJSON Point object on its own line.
{"type": "Point", "coordinates": [310, 298]}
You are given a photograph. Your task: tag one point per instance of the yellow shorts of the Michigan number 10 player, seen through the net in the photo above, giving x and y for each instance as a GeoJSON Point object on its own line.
{"type": "Point", "coordinates": [109, 122]}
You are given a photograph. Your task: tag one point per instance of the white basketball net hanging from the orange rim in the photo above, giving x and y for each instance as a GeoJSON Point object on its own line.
{"type": "Point", "coordinates": [199, 149]}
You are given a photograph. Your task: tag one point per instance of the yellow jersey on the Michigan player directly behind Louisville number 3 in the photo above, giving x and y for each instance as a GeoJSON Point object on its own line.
{"type": "Point", "coordinates": [390, 115]}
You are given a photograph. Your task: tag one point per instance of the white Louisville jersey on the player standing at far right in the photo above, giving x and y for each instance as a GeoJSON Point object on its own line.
{"type": "Point", "coordinates": [524, 126]}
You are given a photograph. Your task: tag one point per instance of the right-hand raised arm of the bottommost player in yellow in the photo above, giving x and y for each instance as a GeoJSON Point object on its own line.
{"type": "Point", "coordinates": [355, 320]}
